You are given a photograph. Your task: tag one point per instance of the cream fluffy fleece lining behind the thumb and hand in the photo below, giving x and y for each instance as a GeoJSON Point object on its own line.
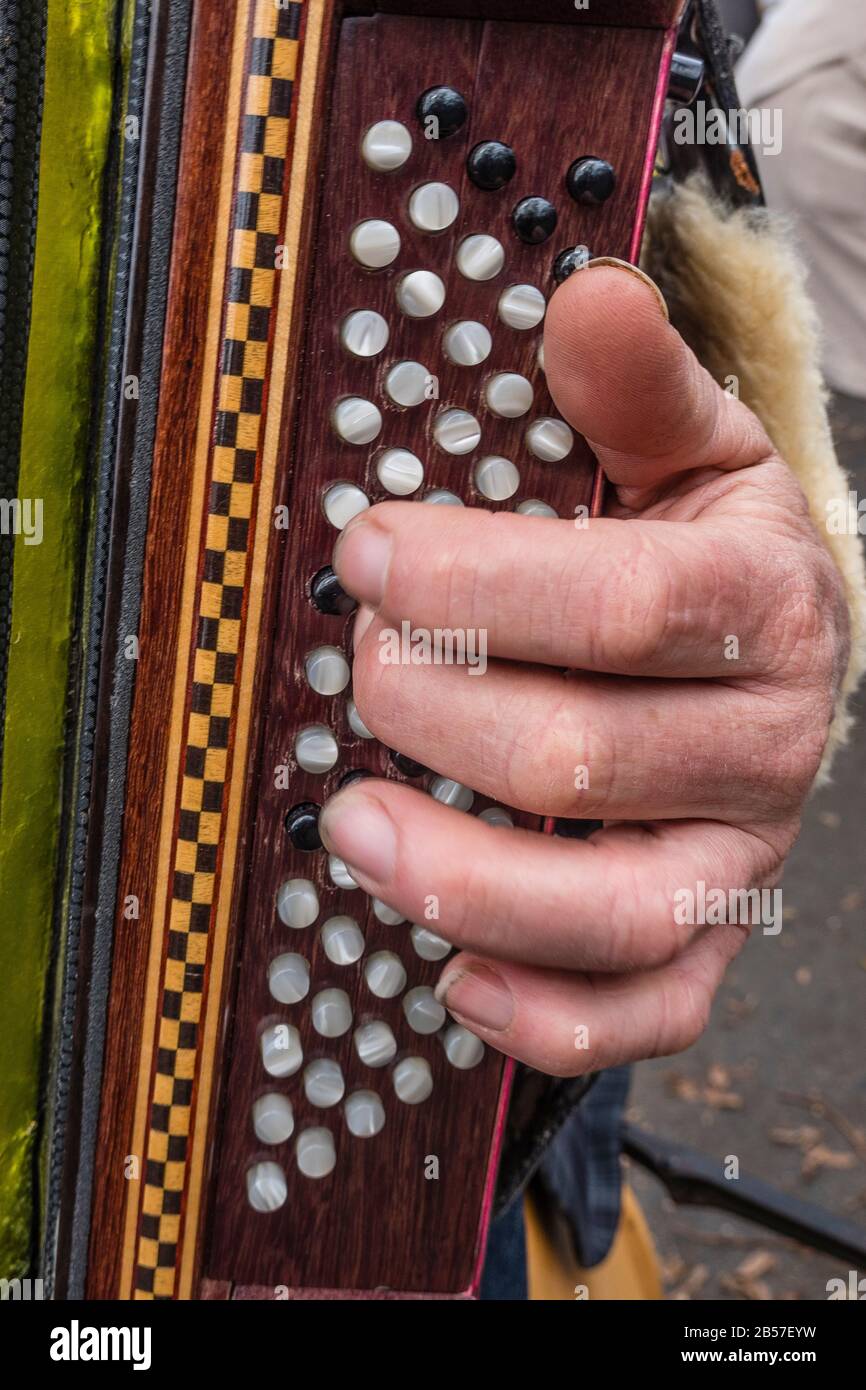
{"type": "Point", "coordinates": [736, 290]}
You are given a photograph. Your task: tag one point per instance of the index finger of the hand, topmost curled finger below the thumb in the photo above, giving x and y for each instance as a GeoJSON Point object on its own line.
{"type": "Point", "coordinates": [647, 598]}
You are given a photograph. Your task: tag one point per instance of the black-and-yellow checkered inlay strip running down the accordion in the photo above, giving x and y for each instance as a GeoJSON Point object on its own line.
{"type": "Point", "coordinates": [222, 605]}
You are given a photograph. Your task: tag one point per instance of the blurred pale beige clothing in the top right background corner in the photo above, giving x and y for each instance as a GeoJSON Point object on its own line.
{"type": "Point", "coordinates": [810, 60]}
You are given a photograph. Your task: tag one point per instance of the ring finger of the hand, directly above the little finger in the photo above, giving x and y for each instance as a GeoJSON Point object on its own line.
{"type": "Point", "coordinates": [607, 904]}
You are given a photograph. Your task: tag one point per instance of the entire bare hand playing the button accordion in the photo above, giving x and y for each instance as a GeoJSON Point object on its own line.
{"type": "Point", "coordinates": [698, 765]}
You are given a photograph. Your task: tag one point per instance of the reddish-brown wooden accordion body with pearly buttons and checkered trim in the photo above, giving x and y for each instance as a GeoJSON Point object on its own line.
{"type": "Point", "coordinates": [215, 960]}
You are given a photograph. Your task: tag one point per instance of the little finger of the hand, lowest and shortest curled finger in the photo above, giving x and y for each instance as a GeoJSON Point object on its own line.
{"type": "Point", "coordinates": [568, 1025]}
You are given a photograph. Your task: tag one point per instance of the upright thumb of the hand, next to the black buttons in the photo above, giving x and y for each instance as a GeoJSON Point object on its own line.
{"type": "Point", "coordinates": [626, 380]}
